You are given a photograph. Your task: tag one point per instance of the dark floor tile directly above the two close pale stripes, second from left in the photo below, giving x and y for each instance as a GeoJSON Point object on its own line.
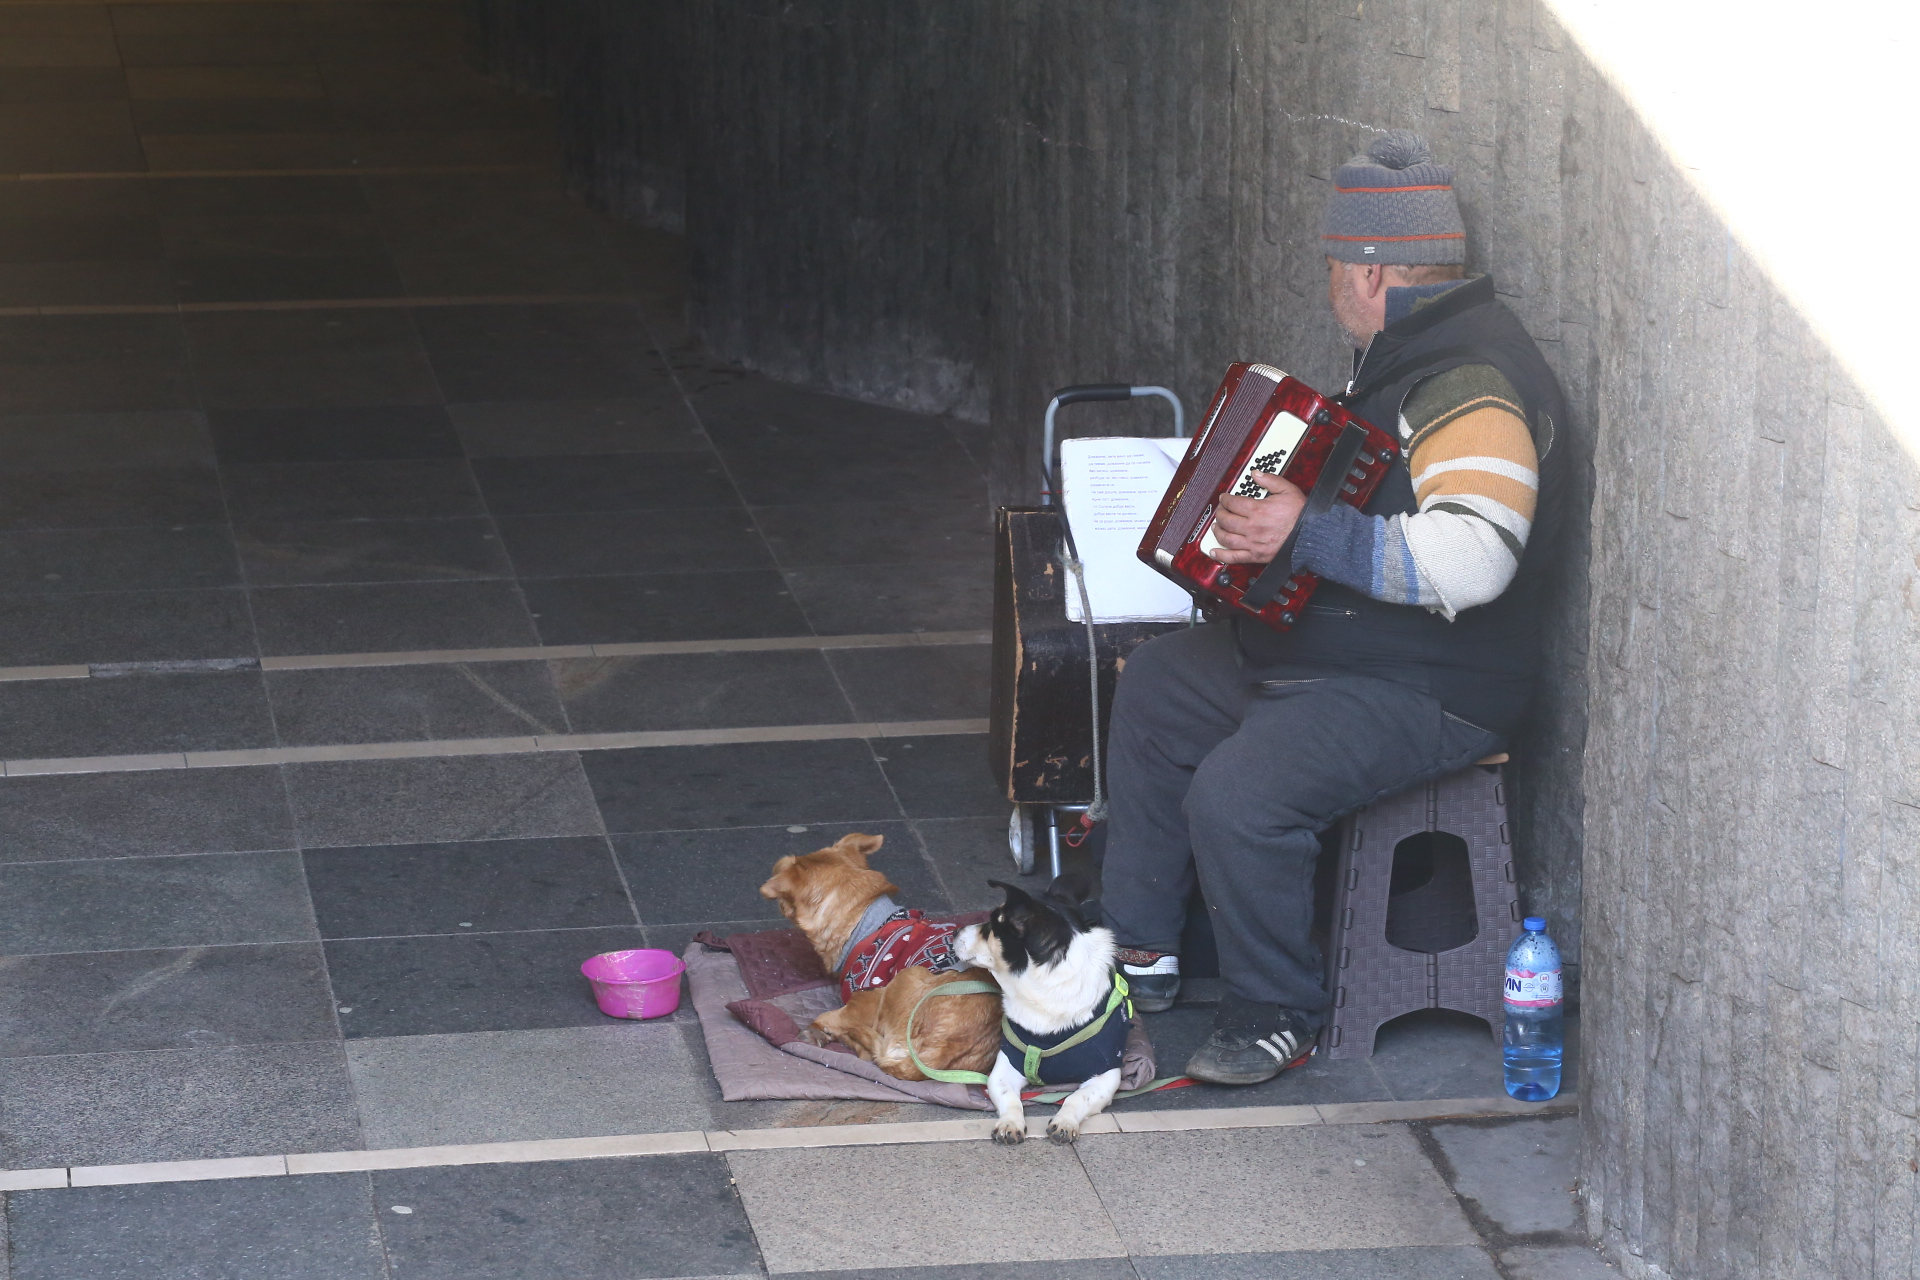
{"type": "Point", "coordinates": [391, 617]}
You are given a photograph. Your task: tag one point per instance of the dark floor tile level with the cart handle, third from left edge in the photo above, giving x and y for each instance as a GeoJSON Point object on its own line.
{"type": "Point", "coordinates": [654, 423]}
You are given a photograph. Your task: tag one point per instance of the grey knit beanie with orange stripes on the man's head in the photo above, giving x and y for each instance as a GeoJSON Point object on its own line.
{"type": "Point", "coordinates": [1395, 206]}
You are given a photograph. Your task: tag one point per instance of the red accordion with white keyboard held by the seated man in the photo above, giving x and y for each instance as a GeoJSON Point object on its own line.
{"type": "Point", "coordinates": [1262, 421]}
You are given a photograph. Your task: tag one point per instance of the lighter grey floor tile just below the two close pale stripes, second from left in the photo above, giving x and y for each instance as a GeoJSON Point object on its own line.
{"type": "Point", "coordinates": [350, 803]}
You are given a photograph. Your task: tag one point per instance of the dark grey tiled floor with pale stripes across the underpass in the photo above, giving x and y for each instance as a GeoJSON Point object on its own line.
{"type": "Point", "coordinates": [304, 356]}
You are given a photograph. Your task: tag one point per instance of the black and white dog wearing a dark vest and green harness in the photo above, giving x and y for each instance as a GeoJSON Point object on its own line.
{"type": "Point", "coordinates": [1067, 1014]}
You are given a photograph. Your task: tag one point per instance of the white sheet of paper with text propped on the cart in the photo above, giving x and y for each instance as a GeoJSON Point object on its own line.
{"type": "Point", "coordinates": [1111, 488]}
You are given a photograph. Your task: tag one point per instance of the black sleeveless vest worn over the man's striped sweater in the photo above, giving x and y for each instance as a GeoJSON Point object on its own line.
{"type": "Point", "coordinates": [1483, 665]}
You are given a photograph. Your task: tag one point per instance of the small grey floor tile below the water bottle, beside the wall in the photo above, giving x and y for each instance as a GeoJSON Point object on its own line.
{"type": "Point", "coordinates": [1520, 1172]}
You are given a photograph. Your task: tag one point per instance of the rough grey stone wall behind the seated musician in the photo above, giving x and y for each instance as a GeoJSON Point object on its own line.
{"type": "Point", "coordinates": [963, 204]}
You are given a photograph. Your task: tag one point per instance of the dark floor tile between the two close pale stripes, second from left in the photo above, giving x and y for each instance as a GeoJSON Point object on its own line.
{"type": "Point", "coordinates": [416, 703]}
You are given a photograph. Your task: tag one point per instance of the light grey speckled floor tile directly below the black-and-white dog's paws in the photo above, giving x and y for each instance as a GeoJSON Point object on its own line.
{"type": "Point", "coordinates": [825, 1208]}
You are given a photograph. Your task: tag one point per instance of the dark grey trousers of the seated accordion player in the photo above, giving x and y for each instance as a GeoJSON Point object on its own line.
{"type": "Point", "coordinates": [1232, 774]}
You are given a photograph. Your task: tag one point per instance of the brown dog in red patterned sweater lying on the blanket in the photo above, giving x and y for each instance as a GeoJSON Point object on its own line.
{"type": "Point", "coordinates": [832, 895]}
